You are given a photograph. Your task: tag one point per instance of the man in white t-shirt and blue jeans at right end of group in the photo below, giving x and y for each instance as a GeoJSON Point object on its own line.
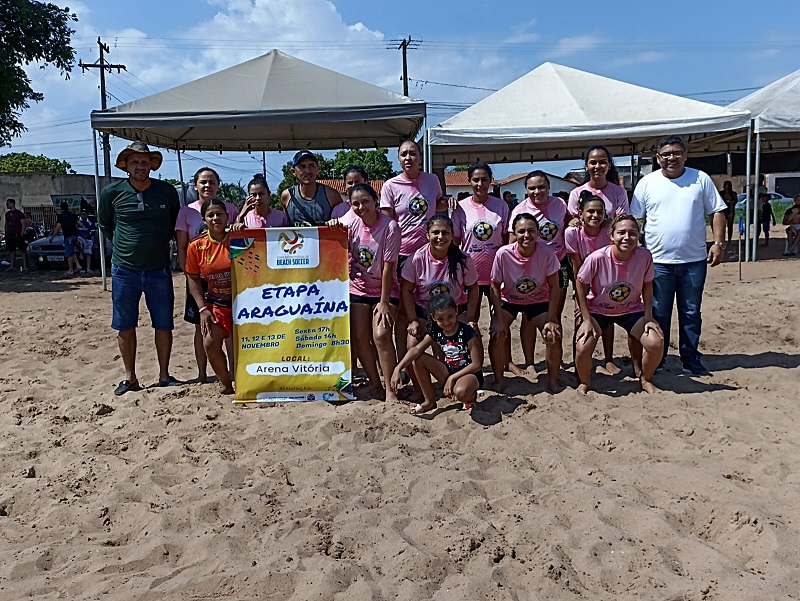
{"type": "Point", "coordinates": [675, 200]}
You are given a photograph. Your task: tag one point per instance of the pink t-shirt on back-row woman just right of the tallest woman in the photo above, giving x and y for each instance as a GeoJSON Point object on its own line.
{"type": "Point", "coordinates": [480, 228]}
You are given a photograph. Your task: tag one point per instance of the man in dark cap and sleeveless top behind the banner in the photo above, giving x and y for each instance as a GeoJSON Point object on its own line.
{"type": "Point", "coordinates": [308, 203]}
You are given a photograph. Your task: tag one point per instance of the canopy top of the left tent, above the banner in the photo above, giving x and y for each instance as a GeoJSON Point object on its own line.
{"type": "Point", "coordinates": [273, 102]}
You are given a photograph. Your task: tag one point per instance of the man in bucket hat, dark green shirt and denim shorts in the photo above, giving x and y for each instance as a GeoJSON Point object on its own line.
{"type": "Point", "coordinates": [138, 215]}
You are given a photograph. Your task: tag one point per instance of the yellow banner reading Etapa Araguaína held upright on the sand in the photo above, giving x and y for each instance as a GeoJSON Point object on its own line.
{"type": "Point", "coordinates": [291, 314]}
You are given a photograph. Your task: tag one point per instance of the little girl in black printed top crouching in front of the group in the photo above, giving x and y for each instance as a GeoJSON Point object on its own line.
{"type": "Point", "coordinates": [462, 352]}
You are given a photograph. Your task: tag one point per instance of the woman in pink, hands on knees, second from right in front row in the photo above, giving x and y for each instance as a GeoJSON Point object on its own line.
{"type": "Point", "coordinates": [525, 279]}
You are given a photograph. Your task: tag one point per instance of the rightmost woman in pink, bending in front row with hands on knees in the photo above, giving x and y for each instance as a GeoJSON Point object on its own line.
{"type": "Point", "coordinates": [615, 286]}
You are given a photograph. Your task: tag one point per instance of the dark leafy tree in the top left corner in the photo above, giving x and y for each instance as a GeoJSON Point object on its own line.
{"type": "Point", "coordinates": [32, 32]}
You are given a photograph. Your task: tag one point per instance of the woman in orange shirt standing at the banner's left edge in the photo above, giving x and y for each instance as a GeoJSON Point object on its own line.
{"type": "Point", "coordinates": [208, 258]}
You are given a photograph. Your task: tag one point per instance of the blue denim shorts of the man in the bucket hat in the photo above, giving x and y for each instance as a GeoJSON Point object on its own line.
{"type": "Point", "coordinates": [127, 287]}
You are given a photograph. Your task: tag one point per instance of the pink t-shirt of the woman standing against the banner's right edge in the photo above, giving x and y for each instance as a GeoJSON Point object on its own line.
{"type": "Point", "coordinates": [370, 248]}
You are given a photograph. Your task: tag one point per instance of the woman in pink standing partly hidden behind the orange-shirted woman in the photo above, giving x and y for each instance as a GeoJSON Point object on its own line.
{"type": "Point", "coordinates": [191, 226]}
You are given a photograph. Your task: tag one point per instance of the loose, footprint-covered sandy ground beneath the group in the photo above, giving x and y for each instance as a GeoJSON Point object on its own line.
{"type": "Point", "coordinates": [175, 494]}
